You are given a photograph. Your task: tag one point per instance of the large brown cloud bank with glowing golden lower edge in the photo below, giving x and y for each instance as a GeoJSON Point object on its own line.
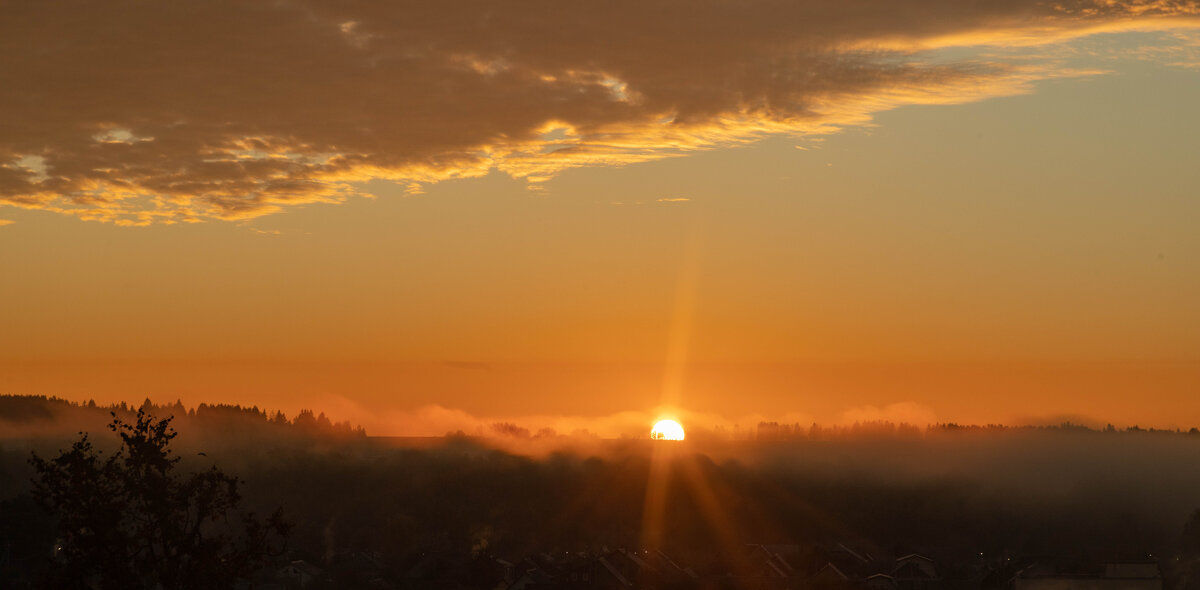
{"type": "Point", "coordinates": [140, 113]}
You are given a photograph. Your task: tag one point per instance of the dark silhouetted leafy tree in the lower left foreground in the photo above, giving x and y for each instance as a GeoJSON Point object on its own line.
{"type": "Point", "coordinates": [130, 521]}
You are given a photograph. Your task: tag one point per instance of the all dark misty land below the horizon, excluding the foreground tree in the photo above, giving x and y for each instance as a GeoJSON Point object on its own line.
{"type": "Point", "coordinates": [872, 508]}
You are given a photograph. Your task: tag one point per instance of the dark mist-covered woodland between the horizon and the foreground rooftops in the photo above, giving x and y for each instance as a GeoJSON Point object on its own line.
{"type": "Point", "coordinates": [1048, 495]}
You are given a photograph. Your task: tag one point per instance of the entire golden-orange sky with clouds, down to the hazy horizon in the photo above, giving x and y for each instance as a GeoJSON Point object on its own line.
{"type": "Point", "coordinates": [425, 215]}
